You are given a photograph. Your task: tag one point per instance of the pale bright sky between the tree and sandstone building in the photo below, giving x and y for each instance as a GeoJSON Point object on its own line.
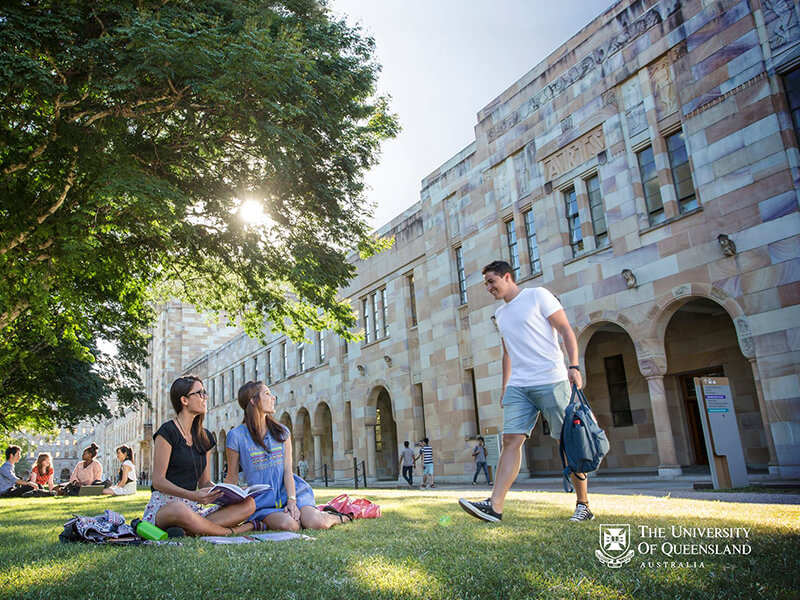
{"type": "Point", "coordinates": [443, 61]}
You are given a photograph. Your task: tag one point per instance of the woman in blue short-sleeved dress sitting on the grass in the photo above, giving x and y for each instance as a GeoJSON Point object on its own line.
{"type": "Point", "coordinates": [265, 448]}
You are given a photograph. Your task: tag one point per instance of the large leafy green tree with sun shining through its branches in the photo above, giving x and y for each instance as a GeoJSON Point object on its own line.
{"type": "Point", "coordinates": [132, 133]}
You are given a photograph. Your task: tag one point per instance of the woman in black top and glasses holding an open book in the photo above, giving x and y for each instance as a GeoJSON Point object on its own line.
{"type": "Point", "coordinates": [180, 465]}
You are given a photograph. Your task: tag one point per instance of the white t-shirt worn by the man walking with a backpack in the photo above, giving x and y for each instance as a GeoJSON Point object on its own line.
{"type": "Point", "coordinates": [531, 341]}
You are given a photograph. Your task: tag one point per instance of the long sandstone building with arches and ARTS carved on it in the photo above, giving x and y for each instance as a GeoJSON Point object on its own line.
{"type": "Point", "coordinates": [646, 173]}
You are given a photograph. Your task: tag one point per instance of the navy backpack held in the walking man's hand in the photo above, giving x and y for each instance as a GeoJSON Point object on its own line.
{"type": "Point", "coordinates": [582, 441]}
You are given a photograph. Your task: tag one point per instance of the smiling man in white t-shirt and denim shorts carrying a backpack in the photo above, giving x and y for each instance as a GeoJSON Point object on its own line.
{"type": "Point", "coordinates": [535, 380]}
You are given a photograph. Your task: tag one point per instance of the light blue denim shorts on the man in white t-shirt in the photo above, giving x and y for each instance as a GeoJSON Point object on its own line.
{"type": "Point", "coordinates": [522, 405]}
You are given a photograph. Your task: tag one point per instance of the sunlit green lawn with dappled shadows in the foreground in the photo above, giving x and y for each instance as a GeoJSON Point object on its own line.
{"type": "Point", "coordinates": [413, 551]}
